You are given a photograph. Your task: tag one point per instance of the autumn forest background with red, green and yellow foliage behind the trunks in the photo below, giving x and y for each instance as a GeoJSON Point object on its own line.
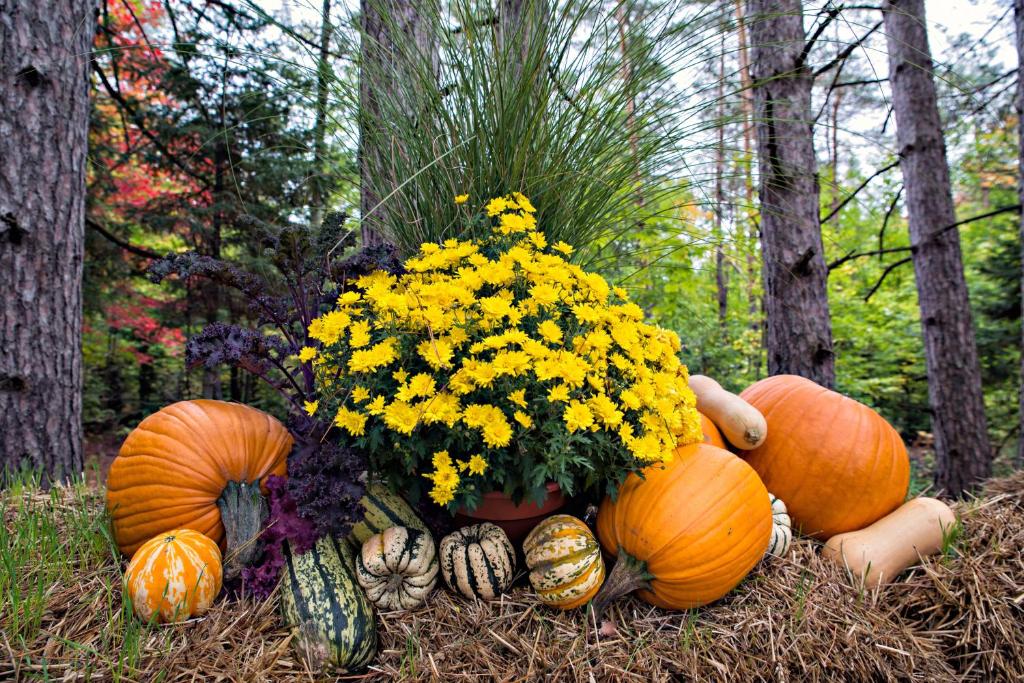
{"type": "Point", "coordinates": [210, 119]}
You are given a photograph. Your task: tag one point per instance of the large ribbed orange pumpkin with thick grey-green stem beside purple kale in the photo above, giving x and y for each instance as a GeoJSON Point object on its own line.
{"type": "Point", "coordinates": [199, 465]}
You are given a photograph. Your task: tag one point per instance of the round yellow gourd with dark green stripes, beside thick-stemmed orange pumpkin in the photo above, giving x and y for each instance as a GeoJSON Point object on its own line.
{"type": "Point", "coordinates": [565, 562]}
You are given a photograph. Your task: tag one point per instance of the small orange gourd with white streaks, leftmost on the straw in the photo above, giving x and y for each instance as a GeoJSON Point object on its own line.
{"type": "Point", "coordinates": [175, 577]}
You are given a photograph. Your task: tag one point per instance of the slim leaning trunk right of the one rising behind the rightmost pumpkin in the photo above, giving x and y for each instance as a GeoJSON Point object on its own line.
{"type": "Point", "coordinates": [962, 447]}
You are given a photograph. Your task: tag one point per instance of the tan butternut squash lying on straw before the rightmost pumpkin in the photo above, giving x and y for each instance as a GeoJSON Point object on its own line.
{"type": "Point", "coordinates": [880, 552]}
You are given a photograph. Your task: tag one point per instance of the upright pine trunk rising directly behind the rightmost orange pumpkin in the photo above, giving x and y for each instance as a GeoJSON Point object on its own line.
{"type": "Point", "coordinates": [799, 327]}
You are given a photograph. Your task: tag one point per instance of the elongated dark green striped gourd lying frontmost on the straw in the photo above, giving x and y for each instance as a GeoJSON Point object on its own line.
{"type": "Point", "coordinates": [322, 601]}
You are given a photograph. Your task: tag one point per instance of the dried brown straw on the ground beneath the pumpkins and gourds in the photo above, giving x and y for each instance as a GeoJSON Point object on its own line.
{"type": "Point", "coordinates": [801, 619]}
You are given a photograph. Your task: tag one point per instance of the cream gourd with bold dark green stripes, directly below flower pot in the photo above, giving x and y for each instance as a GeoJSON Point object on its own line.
{"type": "Point", "coordinates": [479, 562]}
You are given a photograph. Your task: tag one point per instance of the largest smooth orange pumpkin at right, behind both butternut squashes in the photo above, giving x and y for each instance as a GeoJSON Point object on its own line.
{"type": "Point", "coordinates": [837, 463]}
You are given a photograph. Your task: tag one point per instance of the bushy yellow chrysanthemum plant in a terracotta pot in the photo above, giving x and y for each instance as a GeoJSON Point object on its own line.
{"type": "Point", "coordinates": [495, 372]}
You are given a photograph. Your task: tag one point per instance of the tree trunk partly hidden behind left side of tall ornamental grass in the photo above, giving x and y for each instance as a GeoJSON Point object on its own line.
{"type": "Point", "coordinates": [393, 31]}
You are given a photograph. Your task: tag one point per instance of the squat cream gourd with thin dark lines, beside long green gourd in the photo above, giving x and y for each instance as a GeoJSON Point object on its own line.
{"type": "Point", "coordinates": [398, 568]}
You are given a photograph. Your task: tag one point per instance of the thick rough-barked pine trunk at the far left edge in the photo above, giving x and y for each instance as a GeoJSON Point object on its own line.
{"type": "Point", "coordinates": [45, 119]}
